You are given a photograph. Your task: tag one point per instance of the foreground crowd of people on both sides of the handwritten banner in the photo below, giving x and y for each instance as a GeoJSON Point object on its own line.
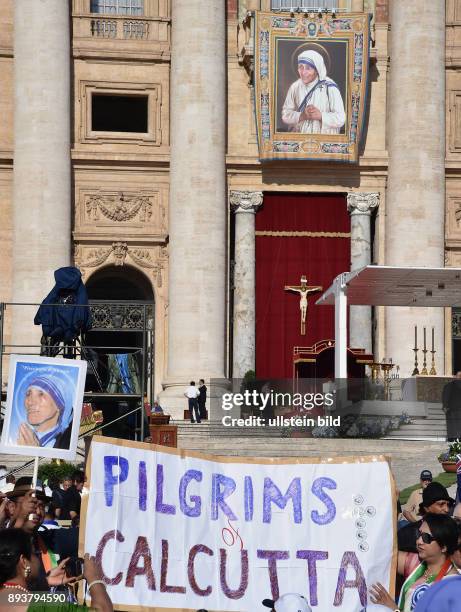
{"type": "Point", "coordinates": [36, 555]}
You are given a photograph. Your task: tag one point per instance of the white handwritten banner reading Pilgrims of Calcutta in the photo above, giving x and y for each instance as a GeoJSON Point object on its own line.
{"type": "Point", "coordinates": [181, 530]}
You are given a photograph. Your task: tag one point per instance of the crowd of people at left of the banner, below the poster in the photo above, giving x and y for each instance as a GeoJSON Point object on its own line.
{"type": "Point", "coordinates": [36, 556]}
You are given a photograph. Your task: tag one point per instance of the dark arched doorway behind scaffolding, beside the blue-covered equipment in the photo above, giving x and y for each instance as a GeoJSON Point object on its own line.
{"type": "Point", "coordinates": [123, 307]}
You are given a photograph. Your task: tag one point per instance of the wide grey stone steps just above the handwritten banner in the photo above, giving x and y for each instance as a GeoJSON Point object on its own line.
{"type": "Point", "coordinates": [412, 448]}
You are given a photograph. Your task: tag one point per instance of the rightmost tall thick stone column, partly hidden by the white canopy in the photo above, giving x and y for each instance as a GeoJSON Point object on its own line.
{"type": "Point", "coordinates": [415, 199]}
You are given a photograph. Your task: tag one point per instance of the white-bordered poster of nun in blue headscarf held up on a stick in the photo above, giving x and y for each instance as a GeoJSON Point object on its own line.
{"type": "Point", "coordinates": [43, 406]}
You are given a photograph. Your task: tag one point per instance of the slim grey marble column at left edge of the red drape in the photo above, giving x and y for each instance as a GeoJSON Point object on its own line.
{"type": "Point", "coordinates": [244, 204]}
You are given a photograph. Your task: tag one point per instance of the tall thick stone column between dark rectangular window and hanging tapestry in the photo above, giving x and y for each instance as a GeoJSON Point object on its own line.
{"type": "Point", "coordinates": [198, 199]}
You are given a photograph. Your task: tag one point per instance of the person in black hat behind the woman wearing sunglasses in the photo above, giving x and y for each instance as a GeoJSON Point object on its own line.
{"type": "Point", "coordinates": [436, 501]}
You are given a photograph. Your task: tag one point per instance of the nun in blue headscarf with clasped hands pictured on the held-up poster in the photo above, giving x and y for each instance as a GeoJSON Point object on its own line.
{"type": "Point", "coordinates": [48, 419]}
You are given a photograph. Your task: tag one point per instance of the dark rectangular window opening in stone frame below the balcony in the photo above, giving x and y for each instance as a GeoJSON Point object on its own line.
{"type": "Point", "coordinates": [111, 113]}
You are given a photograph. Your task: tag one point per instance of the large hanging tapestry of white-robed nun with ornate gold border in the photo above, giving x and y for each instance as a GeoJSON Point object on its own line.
{"type": "Point", "coordinates": [311, 75]}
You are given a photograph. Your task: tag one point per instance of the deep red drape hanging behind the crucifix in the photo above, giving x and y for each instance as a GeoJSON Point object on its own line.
{"type": "Point", "coordinates": [282, 260]}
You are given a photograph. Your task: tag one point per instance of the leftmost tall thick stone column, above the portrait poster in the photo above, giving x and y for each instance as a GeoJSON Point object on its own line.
{"type": "Point", "coordinates": [42, 166]}
